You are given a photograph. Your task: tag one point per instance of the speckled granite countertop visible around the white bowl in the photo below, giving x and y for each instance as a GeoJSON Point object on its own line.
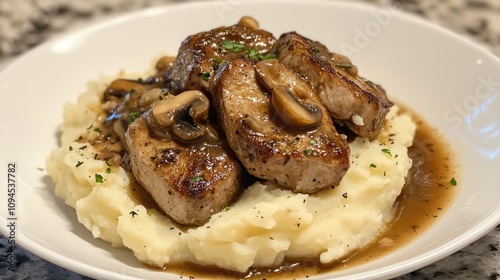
{"type": "Point", "coordinates": [26, 23]}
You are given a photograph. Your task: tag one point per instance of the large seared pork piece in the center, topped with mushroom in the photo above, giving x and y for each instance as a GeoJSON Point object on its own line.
{"type": "Point", "coordinates": [306, 158]}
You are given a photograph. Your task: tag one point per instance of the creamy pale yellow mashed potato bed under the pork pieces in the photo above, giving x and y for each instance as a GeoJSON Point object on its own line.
{"type": "Point", "coordinates": [265, 225]}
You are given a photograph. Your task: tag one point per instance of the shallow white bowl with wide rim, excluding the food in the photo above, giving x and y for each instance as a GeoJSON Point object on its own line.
{"type": "Point", "coordinates": [451, 82]}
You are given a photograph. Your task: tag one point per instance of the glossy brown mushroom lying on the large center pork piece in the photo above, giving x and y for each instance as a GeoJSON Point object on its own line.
{"type": "Point", "coordinates": [290, 95]}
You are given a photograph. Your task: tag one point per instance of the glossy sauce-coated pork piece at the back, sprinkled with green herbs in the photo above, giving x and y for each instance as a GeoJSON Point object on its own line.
{"type": "Point", "coordinates": [201, 54]}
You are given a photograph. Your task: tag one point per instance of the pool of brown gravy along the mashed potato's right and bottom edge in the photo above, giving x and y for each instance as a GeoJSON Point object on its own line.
{"type": "Point", "coordinates": [424, 198]}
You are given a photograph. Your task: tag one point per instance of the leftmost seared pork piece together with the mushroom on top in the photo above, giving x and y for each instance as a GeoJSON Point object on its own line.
{"type": "Point", "coordinates": [189, 171]}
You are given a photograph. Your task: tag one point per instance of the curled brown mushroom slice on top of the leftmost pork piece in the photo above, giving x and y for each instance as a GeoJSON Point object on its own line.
{"type": "Point", "coordinates": [185, 114]}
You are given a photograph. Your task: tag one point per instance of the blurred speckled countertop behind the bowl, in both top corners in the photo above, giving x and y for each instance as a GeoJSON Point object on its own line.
{"type": "Point", "coordinates": [26, 23]}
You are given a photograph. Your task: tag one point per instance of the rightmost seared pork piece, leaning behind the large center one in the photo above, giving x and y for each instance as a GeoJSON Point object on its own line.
{"type": "Point", "coordinates": [356, 102]}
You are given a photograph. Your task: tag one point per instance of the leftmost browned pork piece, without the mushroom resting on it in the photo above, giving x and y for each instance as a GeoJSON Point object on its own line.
{"type": "Point", "coordinates": [189, 182]}
